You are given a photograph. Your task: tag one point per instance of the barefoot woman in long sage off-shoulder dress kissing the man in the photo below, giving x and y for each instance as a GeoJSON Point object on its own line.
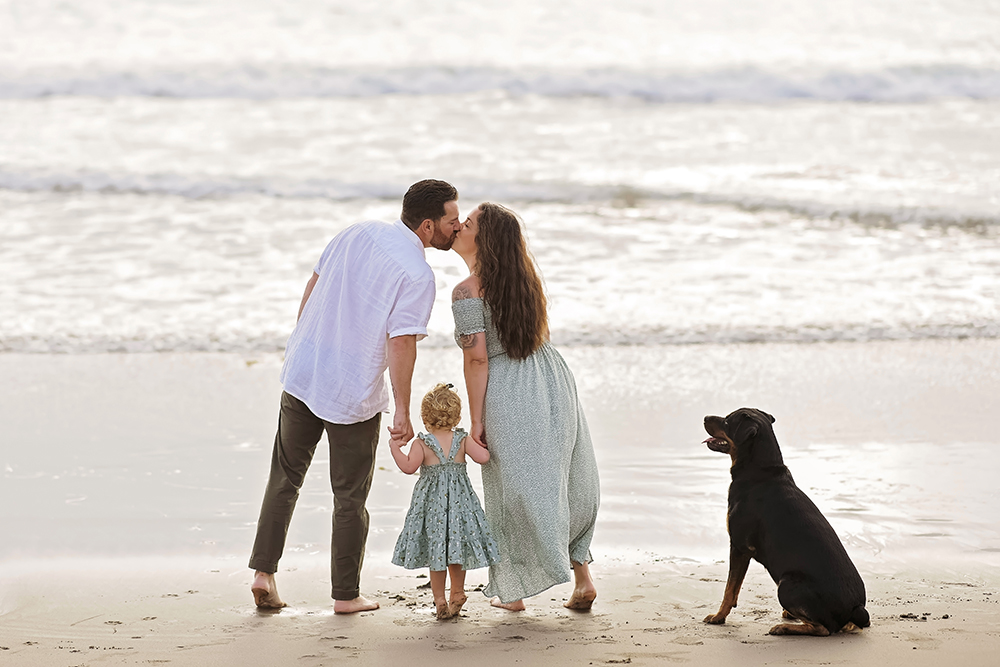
{"type": "Point", "coordinates": [540, 485]}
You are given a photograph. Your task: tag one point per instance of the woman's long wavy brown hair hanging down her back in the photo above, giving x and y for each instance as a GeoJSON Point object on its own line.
{"type": "Point", "coordinates": [510, 283]}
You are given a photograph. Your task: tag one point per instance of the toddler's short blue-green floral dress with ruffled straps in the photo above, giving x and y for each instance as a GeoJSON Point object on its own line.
{"type": "Point", "coordinates": [446, 524]}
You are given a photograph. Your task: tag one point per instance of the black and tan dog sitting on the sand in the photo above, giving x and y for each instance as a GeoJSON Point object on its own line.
{"type": "Point", "coordinates": [773, 521]}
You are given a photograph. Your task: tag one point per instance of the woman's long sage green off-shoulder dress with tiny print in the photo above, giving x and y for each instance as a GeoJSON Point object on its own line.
{"type": "Point", "coordinates": [541, 488]}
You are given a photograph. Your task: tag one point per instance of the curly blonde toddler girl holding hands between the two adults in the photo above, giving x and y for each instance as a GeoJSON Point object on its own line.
{"type": "Point", "coordinates": [446, 528]}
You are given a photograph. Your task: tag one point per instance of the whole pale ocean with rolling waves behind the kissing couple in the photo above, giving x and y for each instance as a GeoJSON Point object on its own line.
{"type": "Point", "coordinates": [170, 171]}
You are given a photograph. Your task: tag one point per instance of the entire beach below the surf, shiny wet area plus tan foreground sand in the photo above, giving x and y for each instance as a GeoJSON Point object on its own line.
{"type": "Point", "coordinates": [131, 483]}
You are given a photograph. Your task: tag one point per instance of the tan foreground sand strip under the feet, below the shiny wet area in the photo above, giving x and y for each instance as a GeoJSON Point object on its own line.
{"type": "Point", "coordinates": [647, 614]}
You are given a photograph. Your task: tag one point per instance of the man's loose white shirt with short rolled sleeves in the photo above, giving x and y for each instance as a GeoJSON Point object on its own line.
{"type": "Point", "coordinates": [374, 284]}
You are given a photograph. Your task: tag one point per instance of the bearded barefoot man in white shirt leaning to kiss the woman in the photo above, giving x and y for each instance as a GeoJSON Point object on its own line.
{"type": "Point", "coordinates": [365, 307]}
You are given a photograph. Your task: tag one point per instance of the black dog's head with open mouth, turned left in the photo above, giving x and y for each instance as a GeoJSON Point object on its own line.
{"type": "Point", "coordinates": [746, 435]}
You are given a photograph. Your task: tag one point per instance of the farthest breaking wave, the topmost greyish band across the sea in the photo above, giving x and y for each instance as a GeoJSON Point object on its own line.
{"type": "Point", "coordinates": [898, 84]}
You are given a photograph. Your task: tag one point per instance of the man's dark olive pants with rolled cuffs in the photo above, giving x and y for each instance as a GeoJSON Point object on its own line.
{"type": "Point", "coordinates": [352, 464]}
